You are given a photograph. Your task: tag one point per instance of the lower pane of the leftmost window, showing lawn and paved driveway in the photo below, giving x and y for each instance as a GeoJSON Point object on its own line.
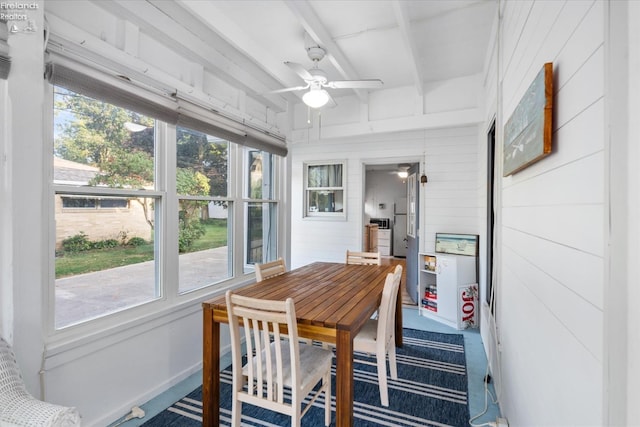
{"type": "Point", "coordinates": [104, 260]}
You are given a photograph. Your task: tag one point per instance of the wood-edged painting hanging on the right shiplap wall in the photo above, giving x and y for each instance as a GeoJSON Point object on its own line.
{"type": "Point", "coordinates": [527, 134]}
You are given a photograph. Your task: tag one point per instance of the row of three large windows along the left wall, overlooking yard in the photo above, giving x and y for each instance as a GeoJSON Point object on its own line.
{"type": "Point", "coordinates": [145, 210]}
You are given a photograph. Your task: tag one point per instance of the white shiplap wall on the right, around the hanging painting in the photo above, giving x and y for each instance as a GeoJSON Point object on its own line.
{"type": "Point", "coordinates": [553, 221]}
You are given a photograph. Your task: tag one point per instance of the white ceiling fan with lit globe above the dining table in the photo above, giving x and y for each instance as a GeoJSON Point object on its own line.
{"type": "Point", "coordinates": [316, 81]}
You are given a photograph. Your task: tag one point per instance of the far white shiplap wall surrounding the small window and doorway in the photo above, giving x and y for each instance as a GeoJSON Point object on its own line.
{"type": "Point", "coordinates": [451, 166]}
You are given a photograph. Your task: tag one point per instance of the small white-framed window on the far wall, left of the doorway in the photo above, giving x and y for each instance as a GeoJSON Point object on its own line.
{"type": "Point", "coordinates": [325, 190]}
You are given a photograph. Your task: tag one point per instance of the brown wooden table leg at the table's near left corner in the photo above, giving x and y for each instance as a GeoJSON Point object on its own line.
{"type": "Point", "coordinates": [210, 370]}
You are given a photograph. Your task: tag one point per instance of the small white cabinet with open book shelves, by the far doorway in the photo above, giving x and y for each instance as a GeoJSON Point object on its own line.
{"type": "Point", "coordinates": [439, 276]}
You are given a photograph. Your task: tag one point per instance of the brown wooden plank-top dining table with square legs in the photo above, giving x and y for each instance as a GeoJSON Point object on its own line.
{"type": "Point", "coordinates": [332, 301]}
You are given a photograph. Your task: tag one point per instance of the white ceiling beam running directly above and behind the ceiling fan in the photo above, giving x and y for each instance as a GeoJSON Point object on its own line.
{"type": "Point", "coordinates": [317, 31]}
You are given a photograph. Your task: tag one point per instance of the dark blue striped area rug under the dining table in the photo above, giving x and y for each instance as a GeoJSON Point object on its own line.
{"type": "Point", "coordinates": [431, 390]}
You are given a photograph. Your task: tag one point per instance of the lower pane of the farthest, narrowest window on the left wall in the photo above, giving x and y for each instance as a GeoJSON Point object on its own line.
{"type": "Point", "coordinates": [261, 232]}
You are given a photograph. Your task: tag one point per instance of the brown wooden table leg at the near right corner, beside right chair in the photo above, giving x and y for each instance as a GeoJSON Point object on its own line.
{"type": "Point", "coordinates": [344, 379]}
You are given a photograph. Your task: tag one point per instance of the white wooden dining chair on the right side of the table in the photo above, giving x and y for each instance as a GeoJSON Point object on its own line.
{"type": "Point", "coordinates": [377, 336]}
